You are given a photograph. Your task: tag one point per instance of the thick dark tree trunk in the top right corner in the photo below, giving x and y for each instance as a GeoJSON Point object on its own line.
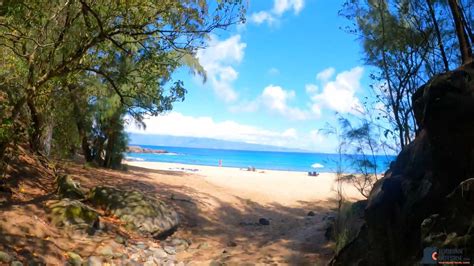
{"type": "Point", "coordinates": [464, 44]}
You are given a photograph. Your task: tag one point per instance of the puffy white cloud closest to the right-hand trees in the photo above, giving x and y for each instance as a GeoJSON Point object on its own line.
{"type": "Point", "coordinates": [339, 94]}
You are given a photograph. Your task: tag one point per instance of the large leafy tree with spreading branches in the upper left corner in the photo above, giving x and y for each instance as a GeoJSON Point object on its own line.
{"type": "Point", "coordinates": [54, 39]}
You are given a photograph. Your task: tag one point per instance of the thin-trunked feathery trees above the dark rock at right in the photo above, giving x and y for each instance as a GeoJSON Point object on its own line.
{"type": "Point", "coordinates": [408, 42]}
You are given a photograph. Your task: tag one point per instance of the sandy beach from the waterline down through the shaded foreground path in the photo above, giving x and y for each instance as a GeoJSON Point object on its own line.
{"type": "Point", "coordinates": [221, 207]}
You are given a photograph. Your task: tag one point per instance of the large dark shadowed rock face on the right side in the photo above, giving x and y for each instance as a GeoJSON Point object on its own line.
{"type": "Point", "coordinates": [425, 199]}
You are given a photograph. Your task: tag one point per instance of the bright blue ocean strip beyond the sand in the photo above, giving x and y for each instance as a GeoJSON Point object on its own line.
{"type": "Point", "coordinates": [287, 161]}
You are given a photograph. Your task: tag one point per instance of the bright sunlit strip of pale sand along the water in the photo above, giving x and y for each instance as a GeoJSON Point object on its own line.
{"type": "Point", "coordinates": [284, 187]}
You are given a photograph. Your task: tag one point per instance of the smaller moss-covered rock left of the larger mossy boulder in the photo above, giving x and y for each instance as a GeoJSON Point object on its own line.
{"type": "Point", "coordinates": [67, 212]}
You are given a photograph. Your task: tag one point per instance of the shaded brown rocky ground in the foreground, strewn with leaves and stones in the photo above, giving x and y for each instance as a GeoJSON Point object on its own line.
{"type": "Point", "coordinates": [43, 223]}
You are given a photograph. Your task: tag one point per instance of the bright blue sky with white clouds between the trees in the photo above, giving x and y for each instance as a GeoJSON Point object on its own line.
{"type": "Point", "coordinates": [278, 79]}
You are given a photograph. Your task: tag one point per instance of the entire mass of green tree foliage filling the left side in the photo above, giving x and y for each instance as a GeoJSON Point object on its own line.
{"type": "Point", "coordinates": [72, 72]}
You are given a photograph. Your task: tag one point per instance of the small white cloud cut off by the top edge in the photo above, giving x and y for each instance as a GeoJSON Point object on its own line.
{"type": "Point", "coordinates": [280, 7]}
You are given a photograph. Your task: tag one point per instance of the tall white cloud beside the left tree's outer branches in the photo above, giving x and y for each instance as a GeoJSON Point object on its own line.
{"type": "Point", "coordinates": [218, 59]}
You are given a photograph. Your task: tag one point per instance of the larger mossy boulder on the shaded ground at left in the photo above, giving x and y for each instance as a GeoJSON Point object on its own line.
{"type": "Point", "coordinates": [140, 212]}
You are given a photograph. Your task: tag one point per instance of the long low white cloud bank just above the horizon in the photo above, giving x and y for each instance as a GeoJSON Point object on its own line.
{"type": "Point", "coordinates": [177, 124]}
